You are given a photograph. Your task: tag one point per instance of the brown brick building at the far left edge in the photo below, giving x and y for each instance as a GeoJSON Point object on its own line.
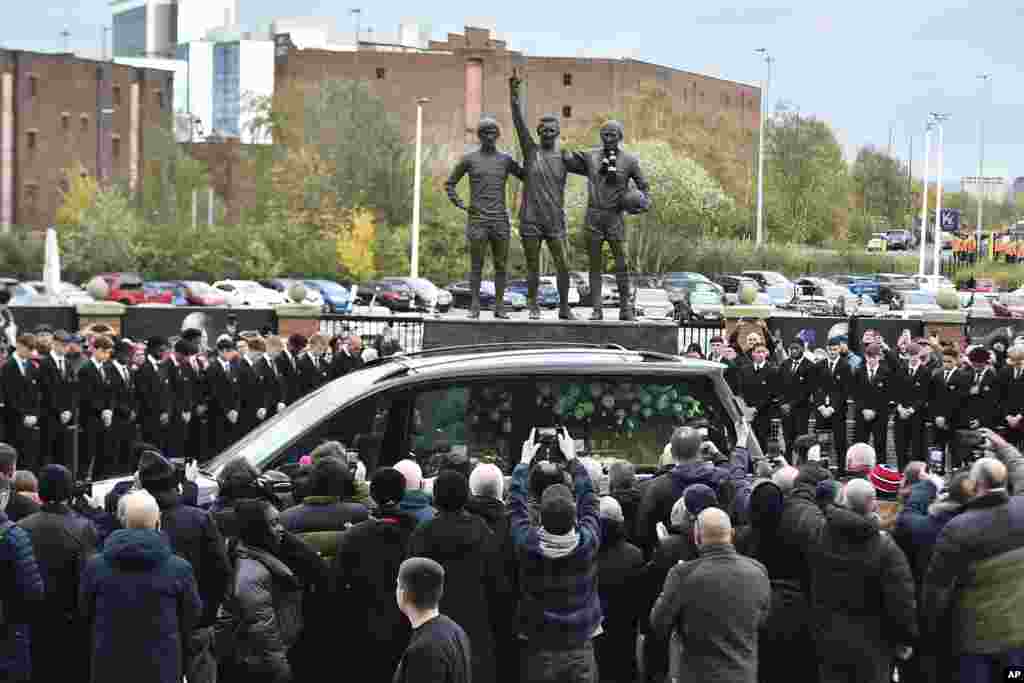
{"type": "Point", "coordinates": [57, 112]}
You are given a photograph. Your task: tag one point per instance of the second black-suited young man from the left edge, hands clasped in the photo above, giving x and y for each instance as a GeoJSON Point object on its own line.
{"type": "Point", "coordinates": [60, 403]}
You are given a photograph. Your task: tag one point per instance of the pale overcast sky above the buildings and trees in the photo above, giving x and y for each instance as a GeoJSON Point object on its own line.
{"type": "Point", "coordinates": [864, 67]}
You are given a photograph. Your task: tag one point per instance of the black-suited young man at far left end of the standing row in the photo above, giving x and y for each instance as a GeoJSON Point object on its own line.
{"type": "Point", "coordinates": [22, 394]}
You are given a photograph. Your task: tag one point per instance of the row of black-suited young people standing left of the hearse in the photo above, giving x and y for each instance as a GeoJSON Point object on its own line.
{"type": "Point", "coordinates": [87, 401]}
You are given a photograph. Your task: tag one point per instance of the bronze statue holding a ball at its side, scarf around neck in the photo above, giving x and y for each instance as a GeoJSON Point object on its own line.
{"type": "Point", "coordinates": [609, 170]}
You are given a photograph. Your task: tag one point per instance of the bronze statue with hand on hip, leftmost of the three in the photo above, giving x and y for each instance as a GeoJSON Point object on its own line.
{"type": "Point", "coordinates": [488, 222]}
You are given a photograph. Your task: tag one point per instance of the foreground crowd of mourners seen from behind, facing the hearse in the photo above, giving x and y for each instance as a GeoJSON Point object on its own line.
{"type": "Point", "coordinates": [565, 573]}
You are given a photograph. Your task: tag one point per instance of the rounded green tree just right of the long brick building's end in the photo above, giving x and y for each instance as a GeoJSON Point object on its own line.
{"type": "Point", "coordinates": [806, 180]}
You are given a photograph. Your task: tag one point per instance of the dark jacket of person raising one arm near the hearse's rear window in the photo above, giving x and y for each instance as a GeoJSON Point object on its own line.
{"type": "Point", "coordinates": [663, 492]}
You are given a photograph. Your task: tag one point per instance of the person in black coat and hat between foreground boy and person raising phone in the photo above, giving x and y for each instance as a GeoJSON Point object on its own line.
{"type": "Point", "coordinates": [464, 545]}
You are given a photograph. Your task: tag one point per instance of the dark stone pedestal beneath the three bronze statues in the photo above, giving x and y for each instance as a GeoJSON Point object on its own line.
{"type": "Point", "coordinates": [642, 335]}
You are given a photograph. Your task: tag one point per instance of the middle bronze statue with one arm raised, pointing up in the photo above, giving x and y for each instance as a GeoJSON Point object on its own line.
{"type": "Point", "coordinates": [542, 212]}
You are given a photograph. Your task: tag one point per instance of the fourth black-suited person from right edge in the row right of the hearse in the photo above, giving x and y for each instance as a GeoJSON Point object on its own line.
{"type": "Point", "coordinates": [911, 395]}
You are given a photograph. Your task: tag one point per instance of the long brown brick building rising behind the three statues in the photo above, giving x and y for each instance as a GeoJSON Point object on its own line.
{"type": "Point", "coordinates": [466, 76]}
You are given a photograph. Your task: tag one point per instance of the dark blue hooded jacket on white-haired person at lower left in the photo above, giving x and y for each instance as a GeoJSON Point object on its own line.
{"type": "Point", "coordinates": [141, 601]}
